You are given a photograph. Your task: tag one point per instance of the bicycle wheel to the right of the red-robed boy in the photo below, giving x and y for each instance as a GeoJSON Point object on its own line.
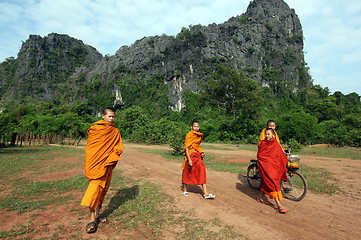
{"type": "Point", "coordinates": [295, 188]}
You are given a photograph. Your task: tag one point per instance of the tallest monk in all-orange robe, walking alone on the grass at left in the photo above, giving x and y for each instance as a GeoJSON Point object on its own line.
{"type": "Point", "coordinates": [102, 153]}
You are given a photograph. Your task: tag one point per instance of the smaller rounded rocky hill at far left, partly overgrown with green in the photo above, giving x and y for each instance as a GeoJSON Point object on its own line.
{"type": "Point", "coordinates": [43, 64]}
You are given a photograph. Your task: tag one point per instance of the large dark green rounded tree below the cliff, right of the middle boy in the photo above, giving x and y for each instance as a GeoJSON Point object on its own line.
{"type": "Point", "coordinates": [232, 89]}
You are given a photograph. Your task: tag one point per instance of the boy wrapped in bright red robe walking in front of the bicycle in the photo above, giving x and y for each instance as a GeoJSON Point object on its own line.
{"type": "Point", "coordinates": [272, 168]}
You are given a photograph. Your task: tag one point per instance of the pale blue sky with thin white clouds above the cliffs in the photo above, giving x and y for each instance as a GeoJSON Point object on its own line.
{"type": "Point", "coordinates": [332, 29]}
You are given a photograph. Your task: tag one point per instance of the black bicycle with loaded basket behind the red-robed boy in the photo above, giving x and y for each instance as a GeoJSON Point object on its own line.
{"type": "Point", "coordinates": [294, 189]}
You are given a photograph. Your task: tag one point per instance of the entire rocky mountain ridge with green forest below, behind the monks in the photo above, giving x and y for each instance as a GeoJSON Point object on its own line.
{"type": "Point", "coordinates": [231, 77]}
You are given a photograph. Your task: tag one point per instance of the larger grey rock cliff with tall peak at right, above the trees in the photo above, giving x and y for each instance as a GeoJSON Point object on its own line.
{"type": "Point", "coordinates": [268, 37]}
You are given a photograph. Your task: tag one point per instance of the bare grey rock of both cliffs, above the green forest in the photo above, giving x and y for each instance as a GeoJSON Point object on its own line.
{"type": "Point", "coordinates": [265, 40]}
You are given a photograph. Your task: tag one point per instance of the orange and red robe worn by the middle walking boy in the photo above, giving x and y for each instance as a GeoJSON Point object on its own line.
{"type": "Point", "coordinates": [196, 174]}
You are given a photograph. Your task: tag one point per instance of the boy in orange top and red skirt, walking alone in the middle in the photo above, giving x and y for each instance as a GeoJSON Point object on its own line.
{"type": "Point", "coordinates": [194, 171]}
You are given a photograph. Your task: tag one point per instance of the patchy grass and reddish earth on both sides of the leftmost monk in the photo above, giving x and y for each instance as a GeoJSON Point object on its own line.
{"type": "Point", "coordinates": [138, 208]}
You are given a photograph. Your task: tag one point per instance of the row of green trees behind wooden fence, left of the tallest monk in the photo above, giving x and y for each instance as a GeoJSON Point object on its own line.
{"type": "Point", "coordinates": [45, 118]}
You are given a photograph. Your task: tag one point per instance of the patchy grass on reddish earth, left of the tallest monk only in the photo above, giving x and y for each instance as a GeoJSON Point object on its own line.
{"type": "Point", "coordinates": [20, 165]}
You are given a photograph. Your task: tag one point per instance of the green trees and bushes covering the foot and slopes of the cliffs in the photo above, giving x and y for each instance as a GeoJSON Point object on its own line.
{"type": "Point", "coordinates": [230, 107]}
